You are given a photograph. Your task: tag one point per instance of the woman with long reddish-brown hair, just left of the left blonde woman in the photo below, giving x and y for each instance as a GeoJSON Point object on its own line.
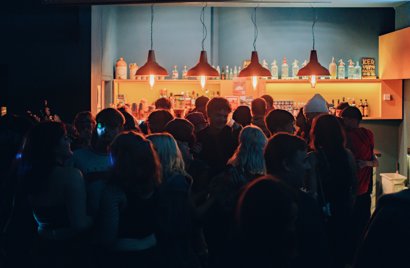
{"type": "Point", "coordinates": [127, 220]}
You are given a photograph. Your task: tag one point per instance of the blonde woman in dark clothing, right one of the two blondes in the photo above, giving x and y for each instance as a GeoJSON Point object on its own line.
{"type": "Point", "coordinates": [246, 164]}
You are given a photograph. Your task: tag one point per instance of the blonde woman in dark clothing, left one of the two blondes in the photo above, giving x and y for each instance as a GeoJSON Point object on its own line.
{"type": "Point", "coordinates": [174, 209]}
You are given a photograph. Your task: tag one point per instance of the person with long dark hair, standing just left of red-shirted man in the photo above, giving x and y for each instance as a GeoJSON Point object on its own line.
{"type": "Point", "coordinates": [336, 183]}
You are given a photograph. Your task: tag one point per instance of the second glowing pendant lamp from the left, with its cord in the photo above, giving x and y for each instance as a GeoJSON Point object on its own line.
{"type": "Point", "coordinates": [203, 69]}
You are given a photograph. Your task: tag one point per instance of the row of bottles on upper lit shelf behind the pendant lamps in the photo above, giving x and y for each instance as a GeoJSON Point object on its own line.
{"type": "Point", "coordinates": [354, 71]}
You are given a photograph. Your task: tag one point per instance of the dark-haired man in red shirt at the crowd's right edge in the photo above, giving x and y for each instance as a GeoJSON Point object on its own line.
{"type": "Point", "coordinates": [361, 142]}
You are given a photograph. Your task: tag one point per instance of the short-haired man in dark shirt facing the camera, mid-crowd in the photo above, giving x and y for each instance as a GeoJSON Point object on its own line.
{"type": "Point", "coordinates": [218, 140]}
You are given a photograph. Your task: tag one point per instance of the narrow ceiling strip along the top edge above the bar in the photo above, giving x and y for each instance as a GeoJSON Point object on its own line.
{"type": "Point", "coordinates": [244, 3]}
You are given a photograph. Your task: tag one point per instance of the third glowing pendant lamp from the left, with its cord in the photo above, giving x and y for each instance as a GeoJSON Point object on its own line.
{"type": "Point", "coordinates": [254, 69]}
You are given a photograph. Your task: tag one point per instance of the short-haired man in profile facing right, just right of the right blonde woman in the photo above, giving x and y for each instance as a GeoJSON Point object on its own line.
{"type": "Point", "coordinates": [286, 159]}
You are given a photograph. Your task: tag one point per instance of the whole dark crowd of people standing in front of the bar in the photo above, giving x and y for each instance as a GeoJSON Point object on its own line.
{"type": "Point", "coordinates": [263, 189]}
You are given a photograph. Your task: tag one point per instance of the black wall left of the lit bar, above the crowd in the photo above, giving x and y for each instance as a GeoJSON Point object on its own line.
{"type": "Point", "coordinates": [46, 54]}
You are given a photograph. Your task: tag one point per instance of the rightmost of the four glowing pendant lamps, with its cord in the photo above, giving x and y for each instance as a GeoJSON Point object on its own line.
{"type": "Point", "coordinates": [313, 69]}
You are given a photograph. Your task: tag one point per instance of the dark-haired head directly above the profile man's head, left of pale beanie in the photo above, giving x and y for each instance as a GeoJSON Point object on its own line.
{"type": "Point", "coordinates": [280, 121]}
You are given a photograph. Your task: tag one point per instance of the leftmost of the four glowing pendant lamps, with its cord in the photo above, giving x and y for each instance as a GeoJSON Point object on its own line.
{"type": "Point", "coordinates": [151, 68]}
